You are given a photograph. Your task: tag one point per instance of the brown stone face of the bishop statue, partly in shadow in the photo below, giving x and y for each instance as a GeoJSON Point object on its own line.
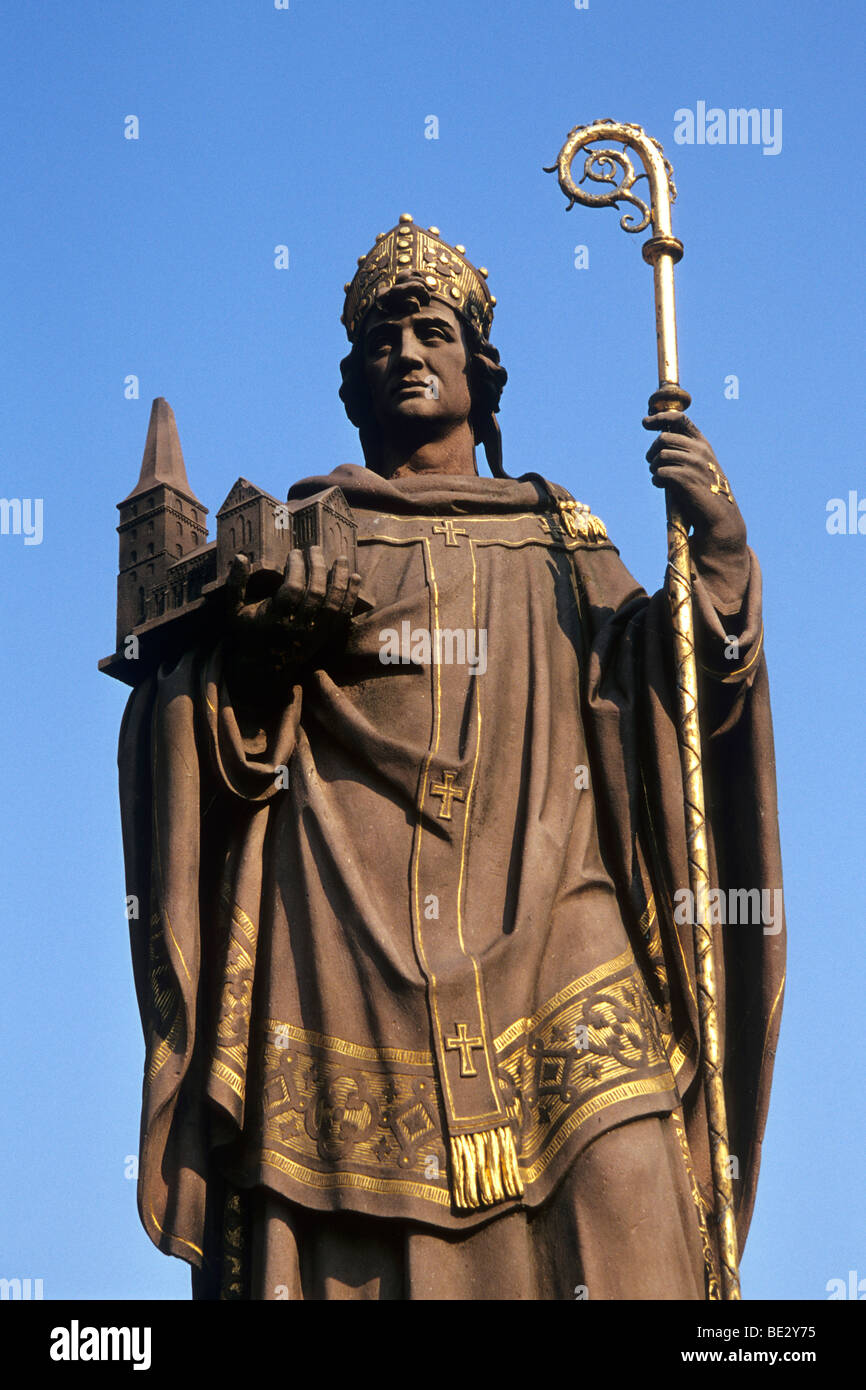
{"type": "Point", "coordinates": [418, 368]}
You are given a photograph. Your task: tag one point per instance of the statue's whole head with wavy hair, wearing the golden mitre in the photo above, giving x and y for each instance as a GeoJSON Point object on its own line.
{"type": "Point", "coordinates": [418, 294]}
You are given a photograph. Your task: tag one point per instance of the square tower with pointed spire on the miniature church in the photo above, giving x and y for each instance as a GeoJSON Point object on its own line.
{"type": "Point", "coordinates": [162, 521]}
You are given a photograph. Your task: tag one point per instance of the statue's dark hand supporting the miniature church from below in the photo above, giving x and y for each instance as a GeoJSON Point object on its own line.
{"type": "Point", "coordinates": [308, 610]}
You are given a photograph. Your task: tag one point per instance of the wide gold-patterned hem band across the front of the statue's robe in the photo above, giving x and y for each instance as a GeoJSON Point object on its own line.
{"type": "Point", "coordinates": [336, 1114]}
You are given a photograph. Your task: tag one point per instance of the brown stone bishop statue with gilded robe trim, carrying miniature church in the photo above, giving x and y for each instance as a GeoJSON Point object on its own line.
{"type": "Point", "coordinates": [407, 856]}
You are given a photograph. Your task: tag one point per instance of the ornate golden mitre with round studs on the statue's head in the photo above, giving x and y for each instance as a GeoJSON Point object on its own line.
{"type": "Point", "coordinates": [414, 251]}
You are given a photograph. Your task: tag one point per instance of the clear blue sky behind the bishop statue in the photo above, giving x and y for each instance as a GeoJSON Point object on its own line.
{"type": "Point", "coordinates": [156, 258]}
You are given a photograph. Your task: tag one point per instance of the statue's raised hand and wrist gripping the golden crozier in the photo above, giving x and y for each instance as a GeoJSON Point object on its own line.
{"type": "Point", "coordinates": [683, 464]}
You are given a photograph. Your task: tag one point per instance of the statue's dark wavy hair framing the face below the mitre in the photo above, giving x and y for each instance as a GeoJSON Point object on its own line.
{"type": "Point", "coordinates": [487, 377]}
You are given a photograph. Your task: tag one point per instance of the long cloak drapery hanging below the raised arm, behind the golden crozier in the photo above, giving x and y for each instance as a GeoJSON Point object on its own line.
{"type": "Point", "coordinates": [632, 723]}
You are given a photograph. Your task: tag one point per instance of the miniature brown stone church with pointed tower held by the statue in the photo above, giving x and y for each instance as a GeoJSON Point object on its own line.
{"type": "Point", "coordinates": [169, 569]}
